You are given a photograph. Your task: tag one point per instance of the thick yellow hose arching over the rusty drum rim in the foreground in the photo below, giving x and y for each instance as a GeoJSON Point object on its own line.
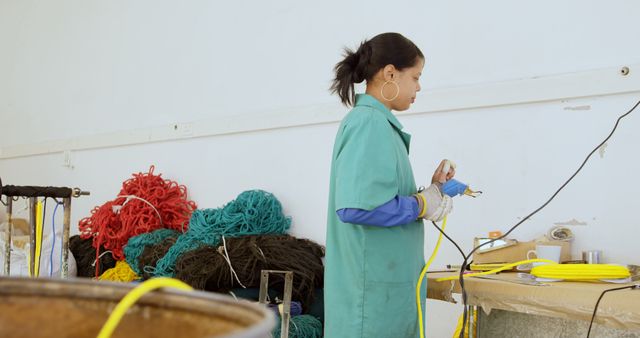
{"type": "Point", "coordinates": [133, 296]}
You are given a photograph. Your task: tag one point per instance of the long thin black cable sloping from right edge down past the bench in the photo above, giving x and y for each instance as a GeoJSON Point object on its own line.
{"type": "Point", "coordinates": [464, 264]}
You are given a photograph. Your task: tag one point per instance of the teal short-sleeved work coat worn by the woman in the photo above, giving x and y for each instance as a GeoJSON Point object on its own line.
{"type": "Point", "coordinates": [371, 272]}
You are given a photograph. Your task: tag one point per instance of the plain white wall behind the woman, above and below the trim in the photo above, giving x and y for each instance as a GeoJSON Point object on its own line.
{"type": "Point", "coordinates": [74, 69]}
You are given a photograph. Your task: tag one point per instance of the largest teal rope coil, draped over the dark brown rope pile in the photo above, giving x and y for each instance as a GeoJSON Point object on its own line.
{"type": "Point", "coordinates": [253, 212]}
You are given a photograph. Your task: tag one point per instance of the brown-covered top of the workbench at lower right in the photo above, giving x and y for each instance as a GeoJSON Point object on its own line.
{"type": "Point", "coordinates": [569, 300]}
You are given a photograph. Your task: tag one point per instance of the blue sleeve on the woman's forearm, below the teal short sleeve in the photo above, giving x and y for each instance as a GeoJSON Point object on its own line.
{"type": "Point", "coordinates": [400, 210]}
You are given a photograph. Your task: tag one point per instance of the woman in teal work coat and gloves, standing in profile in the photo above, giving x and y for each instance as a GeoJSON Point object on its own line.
{"type": "Point", "coordinates": [375, 232]}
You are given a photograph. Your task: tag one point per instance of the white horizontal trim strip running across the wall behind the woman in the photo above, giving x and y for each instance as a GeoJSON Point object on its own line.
{"type": "Point", "coordinates": [607, 81]}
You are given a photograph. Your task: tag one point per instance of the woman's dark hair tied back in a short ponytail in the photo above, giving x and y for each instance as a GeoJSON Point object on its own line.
{"type": "Point", "coordinates": [372, 55]}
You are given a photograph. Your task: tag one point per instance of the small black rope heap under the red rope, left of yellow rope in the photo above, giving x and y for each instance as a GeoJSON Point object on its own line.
{"type": "Point", "coordinates": [84, 254]}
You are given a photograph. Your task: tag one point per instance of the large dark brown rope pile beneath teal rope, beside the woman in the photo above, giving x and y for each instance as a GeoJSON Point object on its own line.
{"type": "Point", "coordinates": [237, 262]}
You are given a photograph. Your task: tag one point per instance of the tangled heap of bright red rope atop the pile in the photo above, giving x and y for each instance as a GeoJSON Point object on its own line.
{"type": "Point", "coordinates": [145, 203]}
